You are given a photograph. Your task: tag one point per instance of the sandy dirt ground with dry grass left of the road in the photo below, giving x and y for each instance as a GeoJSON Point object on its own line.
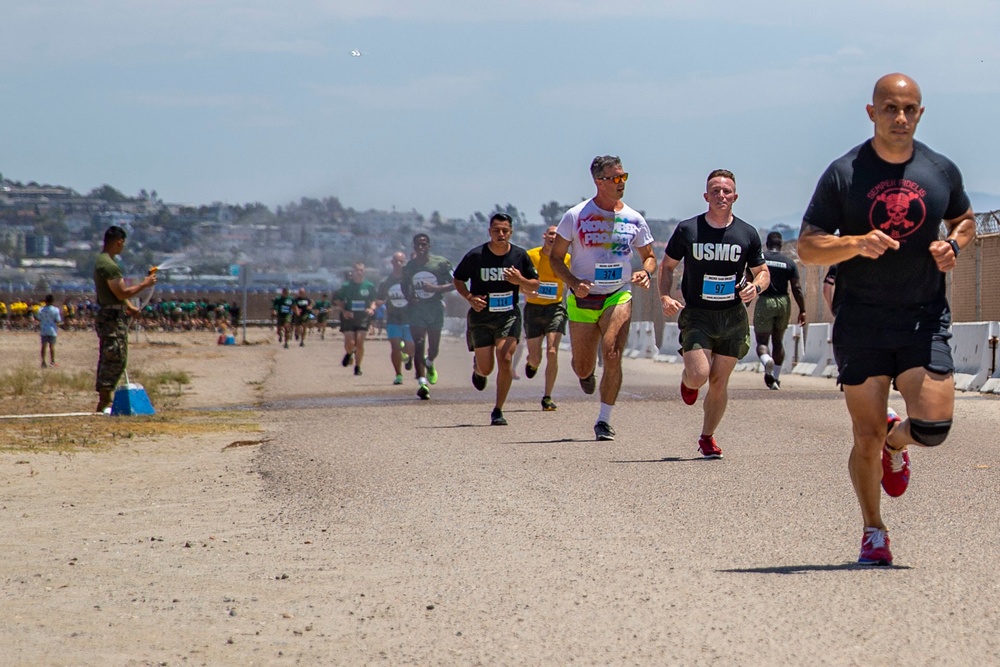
{"type": "Point", "coordinates": [110, 526]}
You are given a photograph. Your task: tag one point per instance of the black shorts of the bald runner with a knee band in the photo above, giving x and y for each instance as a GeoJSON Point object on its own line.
{"type": "Point", "coordinates": [874, 341]}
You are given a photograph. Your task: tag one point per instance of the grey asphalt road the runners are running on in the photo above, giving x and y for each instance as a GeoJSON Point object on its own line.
{"type": "Point", "coordinates": [445, 541]}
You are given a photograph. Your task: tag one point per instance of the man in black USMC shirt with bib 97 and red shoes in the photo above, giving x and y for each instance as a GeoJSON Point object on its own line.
{"type": "Point", "coordinates": [717, 249]}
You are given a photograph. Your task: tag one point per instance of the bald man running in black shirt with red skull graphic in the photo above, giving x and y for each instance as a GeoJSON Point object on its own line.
{"type": "Point", "coordinates": [876, 213]}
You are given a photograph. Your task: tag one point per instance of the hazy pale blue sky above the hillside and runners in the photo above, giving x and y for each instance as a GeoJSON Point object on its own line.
{"type": "Point", "coordinates": [457, 105]}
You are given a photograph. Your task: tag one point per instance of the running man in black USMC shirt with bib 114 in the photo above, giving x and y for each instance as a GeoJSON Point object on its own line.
{"type": "Point", "coordinates": [495, 272]}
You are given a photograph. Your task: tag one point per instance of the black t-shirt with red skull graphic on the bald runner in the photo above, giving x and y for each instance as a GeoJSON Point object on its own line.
{"type": "Point", "coordinates": [860, 192]}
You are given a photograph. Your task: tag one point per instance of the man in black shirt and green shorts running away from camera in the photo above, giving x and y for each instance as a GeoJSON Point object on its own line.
{"type": "Point", "coordinates": [773, 310]}
